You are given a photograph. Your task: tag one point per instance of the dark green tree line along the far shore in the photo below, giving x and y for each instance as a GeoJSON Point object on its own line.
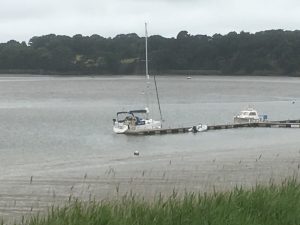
{"type": "Point", "coordinates": [274, 52]}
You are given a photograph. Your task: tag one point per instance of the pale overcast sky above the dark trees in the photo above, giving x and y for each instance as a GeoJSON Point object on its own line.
{"type": "Point", "coordinates": [22, 19]}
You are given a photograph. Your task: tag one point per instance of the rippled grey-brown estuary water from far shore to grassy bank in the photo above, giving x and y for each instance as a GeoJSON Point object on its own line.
{"type": "Point", "coordinates": [56, 137]}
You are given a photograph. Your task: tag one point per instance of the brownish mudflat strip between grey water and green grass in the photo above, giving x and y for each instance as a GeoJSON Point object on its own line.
{"type": "Point", "coordinates": [148, 176]}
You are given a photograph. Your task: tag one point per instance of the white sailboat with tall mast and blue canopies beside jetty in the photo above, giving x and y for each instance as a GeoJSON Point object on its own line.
{"type": "Point", "coordinates": [137, 119]}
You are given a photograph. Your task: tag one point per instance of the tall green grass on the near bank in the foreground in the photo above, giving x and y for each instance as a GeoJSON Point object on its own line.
{"type": "Point", "coordinates": [274, 204]}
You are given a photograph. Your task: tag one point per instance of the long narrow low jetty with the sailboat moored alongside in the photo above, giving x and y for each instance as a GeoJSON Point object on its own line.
{"type": "Point", "coordinates": [269, 124]}
